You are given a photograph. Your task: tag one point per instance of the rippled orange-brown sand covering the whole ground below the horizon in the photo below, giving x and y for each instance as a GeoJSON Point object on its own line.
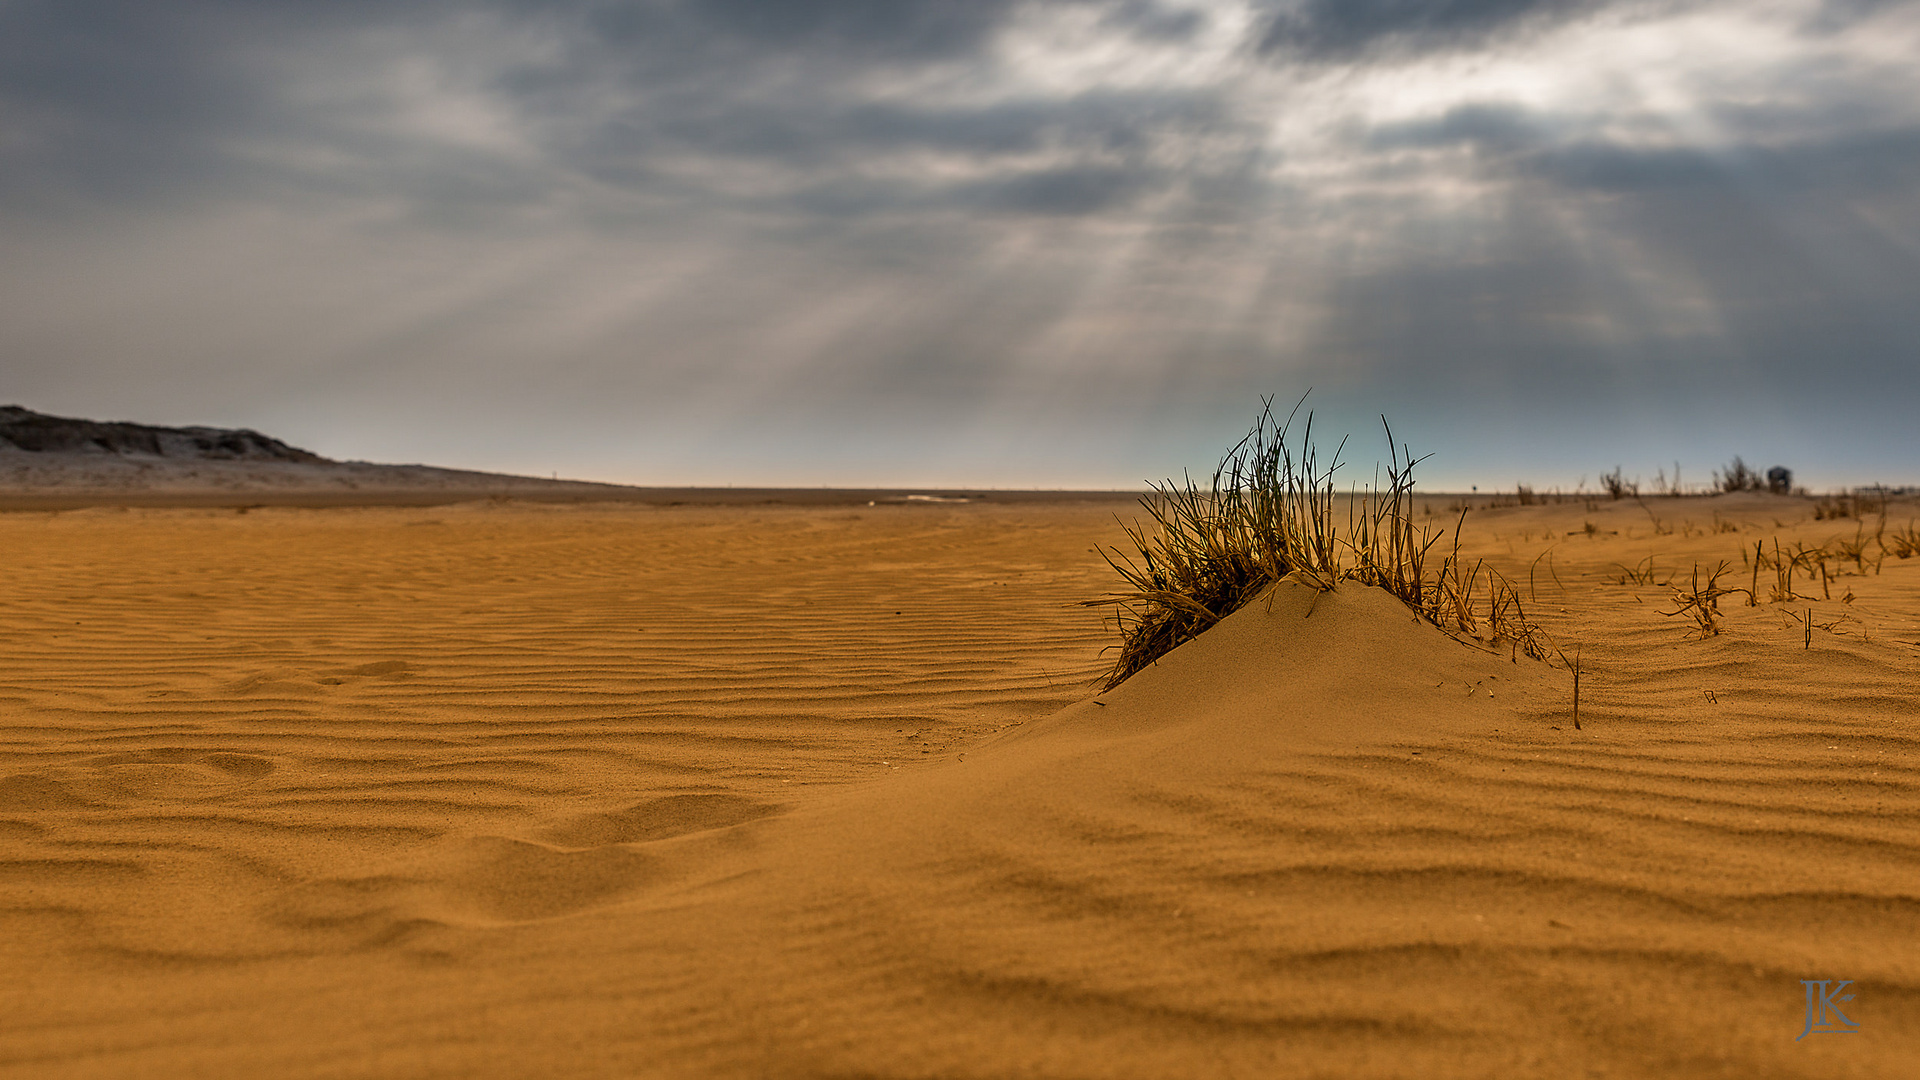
{"type": "Point", "coordinates": [813, 791]}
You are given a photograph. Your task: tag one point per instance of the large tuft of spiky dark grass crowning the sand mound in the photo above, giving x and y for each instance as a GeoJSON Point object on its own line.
{"type": "Point", "coordinates": [1268, 514]}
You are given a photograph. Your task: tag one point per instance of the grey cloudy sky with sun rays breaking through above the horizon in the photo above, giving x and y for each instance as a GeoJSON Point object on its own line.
{"type": "Point", "coordinates": [974, 243]}
